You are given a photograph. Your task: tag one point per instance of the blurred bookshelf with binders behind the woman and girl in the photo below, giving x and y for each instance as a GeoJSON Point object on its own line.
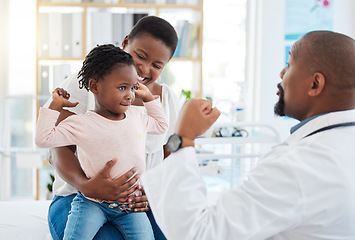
{"type": "Point", "coordinates": [69, 29]}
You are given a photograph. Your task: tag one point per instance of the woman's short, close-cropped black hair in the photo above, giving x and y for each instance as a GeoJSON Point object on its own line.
{"type": "Point", "coordinates": [158, 28]}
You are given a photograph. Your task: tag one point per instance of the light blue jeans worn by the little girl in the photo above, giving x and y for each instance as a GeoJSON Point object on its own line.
{"type": "Point", "coordinates": [86, 218]}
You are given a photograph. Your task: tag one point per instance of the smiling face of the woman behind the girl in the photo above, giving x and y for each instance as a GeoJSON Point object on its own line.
{"type": "Point", "coordinates": [150, 56]}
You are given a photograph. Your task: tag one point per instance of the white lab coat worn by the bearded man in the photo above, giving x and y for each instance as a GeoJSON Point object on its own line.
{"type": "Point", "coordinates": [302, 189]}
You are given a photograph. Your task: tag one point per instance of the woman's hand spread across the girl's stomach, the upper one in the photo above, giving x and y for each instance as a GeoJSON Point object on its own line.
{"type": "Point", "coordinates": [102, 186]}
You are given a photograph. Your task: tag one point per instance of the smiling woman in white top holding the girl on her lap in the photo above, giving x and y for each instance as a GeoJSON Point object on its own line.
{"type": "Point", "coordinates": [151, 42]}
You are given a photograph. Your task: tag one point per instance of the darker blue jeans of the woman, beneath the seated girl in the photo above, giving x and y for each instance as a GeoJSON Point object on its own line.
{"type": "Point", "coordinates": [58, 215]}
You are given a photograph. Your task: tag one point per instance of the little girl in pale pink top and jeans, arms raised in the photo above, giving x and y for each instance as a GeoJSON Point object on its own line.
{"type": "Point", "coordinates": [111, 130]}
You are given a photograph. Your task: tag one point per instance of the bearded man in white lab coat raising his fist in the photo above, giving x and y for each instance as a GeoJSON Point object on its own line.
{"type": "Point", "coordinates": [303, 188]}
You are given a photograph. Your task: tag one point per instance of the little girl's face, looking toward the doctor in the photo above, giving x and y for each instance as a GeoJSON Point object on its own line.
{"type": "Point", "coordinates": [115, 93]}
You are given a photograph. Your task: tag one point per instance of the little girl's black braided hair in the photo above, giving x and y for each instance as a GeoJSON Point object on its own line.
{"type": "Point", "coordinates": [100, 61]}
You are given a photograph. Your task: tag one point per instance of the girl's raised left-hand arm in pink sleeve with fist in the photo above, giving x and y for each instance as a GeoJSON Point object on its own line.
{"type": "Point", "coordinates": [47, 134]}
